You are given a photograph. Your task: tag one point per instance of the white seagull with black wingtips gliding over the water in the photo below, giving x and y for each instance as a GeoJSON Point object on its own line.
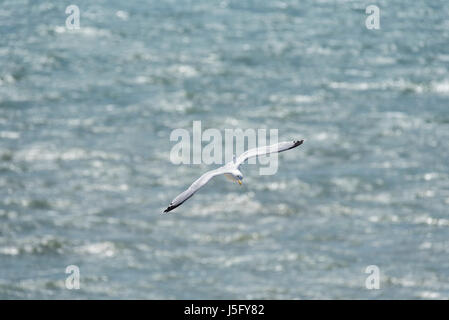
{"type": "Point", "coordinates": [231, 170]}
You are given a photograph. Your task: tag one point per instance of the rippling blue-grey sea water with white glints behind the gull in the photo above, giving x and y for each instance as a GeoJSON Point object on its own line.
{"type": "Point", "coordinates": [85, 171]}
